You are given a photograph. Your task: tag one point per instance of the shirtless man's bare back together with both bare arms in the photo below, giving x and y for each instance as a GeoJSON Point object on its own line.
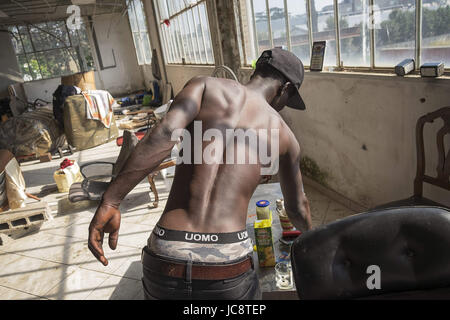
{"type": "Point", "coordinates": [209, 197]}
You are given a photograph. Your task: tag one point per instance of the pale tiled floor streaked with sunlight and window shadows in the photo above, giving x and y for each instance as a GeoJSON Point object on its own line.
{"type": "Point", "coordinates": [54, 262]}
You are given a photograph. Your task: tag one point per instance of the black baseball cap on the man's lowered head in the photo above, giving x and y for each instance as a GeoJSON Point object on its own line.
{"type": "Point", "coordinates": [291, 67]}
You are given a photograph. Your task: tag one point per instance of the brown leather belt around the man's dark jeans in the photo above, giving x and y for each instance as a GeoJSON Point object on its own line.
{"type": "Point", "coordinates": [198, 271]}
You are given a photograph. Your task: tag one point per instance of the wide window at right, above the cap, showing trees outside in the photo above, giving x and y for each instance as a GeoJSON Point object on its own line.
{"type": "Point", "coordinates": [370, 33]}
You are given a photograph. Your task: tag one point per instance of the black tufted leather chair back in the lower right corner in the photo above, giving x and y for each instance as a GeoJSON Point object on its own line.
{"type": "Point", "coordinates": [410, 245]}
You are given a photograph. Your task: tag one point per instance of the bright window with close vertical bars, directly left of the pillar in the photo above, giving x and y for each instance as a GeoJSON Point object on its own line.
{"type": "Point", "coordinates": [184, 31]}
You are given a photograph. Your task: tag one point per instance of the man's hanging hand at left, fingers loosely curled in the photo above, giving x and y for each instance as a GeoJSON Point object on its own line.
{"type": "Point", "coordinates": [105, 220]}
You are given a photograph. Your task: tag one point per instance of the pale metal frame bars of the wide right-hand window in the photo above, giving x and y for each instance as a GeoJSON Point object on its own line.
{"type": "Point", "coordinates": [337, 66]}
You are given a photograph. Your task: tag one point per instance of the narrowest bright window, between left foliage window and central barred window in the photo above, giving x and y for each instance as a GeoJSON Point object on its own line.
{"type": "Point", "coordinates": [138, 24]}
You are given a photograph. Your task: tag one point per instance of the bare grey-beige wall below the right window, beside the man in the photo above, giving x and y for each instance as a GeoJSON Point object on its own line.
{"type": "Point", "coordinates": [360, 131]}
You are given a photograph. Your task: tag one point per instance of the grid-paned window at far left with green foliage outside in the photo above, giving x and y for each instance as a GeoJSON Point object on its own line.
{"type": "Point", "coordinates": [50, 49]}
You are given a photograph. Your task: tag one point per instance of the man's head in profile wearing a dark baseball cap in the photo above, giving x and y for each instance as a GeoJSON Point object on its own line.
{"type": "Point", "coordinates": [287, 71]}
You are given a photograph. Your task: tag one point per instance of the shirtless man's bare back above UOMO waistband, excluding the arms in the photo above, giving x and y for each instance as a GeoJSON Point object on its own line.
{"type": "Point", "coordinates": [215, 197]}
